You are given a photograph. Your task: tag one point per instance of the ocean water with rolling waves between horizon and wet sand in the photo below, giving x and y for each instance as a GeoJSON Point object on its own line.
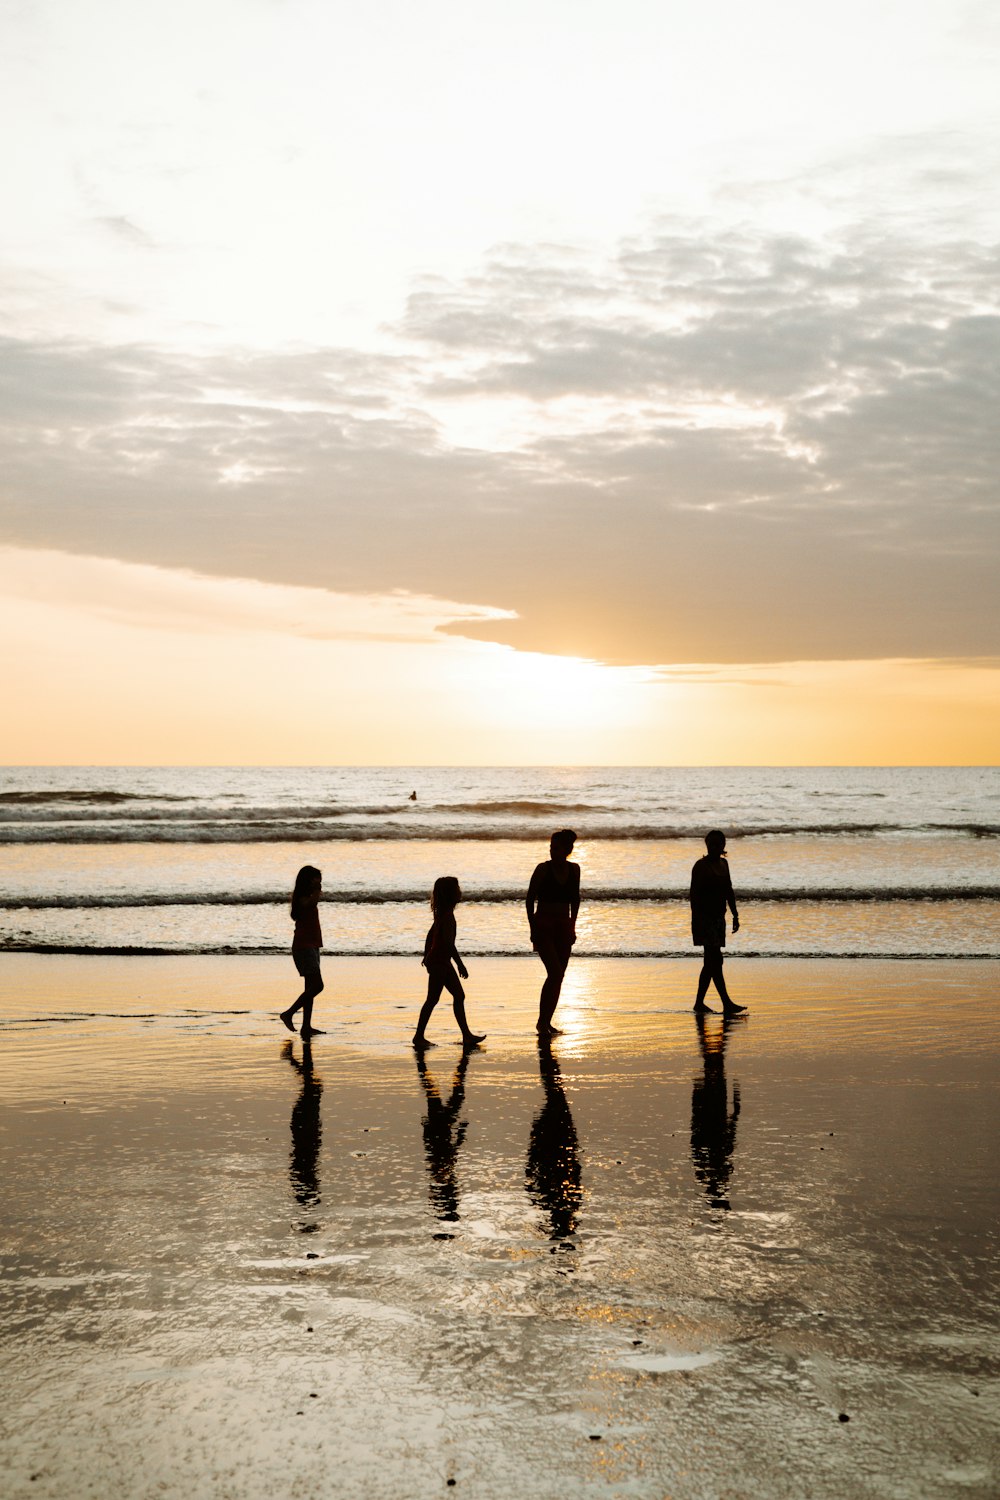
{"type": "Point", "coordinates": [827, 863]}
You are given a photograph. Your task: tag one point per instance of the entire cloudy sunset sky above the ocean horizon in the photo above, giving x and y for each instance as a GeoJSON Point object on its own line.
{"type": "Point", "coordinates": [455, 383]}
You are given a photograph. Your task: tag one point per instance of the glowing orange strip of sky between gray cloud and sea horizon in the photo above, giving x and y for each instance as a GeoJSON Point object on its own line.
{"type": "Point", "coordinates": [122, 664]}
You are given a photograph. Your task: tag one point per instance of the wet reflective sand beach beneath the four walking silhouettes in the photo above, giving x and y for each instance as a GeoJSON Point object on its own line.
{"type": "Point", "coordinates": [660, 1261]}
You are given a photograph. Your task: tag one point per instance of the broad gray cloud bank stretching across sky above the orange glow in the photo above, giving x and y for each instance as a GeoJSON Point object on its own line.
{"type": "Point", "coordinates": [791, 451]}
